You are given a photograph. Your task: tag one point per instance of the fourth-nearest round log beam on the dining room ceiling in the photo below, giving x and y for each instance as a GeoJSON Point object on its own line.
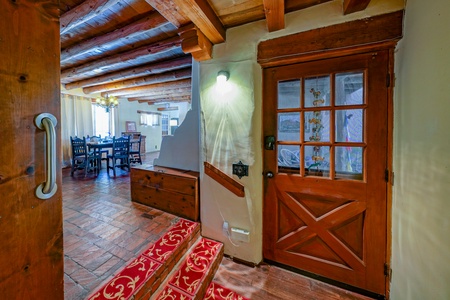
{"type": "Point", "coordinates": [152, 68]}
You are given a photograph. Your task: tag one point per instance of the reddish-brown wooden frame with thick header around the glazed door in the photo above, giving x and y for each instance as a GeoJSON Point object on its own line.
{"type": "Point", "coordinates": [355, 37]}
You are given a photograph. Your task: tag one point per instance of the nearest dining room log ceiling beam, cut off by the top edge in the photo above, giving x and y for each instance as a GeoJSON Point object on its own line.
{"type": "Point", "coordinates": [83, 13]}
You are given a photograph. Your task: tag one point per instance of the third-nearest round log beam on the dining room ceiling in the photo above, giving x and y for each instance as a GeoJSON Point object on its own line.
{"type": "Point", "coordinates": [114, 62]}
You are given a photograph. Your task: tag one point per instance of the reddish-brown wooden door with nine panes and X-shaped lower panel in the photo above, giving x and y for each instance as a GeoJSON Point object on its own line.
{"type": "Point", "coordinates": [325, 188]}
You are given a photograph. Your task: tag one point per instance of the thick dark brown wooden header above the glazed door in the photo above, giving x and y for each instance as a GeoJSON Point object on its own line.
{"type": "Point", "coordinates": [382, 31]}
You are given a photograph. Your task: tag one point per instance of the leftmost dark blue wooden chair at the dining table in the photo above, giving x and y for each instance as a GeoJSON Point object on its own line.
{"type": "Point", "coordinates": [82, 159]}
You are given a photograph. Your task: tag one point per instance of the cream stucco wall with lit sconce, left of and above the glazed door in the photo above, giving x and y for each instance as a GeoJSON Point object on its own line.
{"type": "Point", "coordinates": [231, 121]}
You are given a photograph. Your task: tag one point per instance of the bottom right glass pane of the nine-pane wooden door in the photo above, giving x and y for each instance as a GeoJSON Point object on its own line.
{"type": "Point", "coordinates": [349, 163]}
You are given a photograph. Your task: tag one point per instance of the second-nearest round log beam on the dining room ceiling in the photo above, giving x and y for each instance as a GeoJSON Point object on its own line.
{"type": "Point", "coordinates": [150, 22]}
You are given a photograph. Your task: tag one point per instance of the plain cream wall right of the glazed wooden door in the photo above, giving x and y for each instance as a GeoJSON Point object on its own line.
{"type": "Point", "coordinates": [421, 192]}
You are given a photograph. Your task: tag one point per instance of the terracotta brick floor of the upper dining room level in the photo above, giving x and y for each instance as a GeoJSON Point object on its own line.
{"type": "Point", "coordinates": [103, 229]}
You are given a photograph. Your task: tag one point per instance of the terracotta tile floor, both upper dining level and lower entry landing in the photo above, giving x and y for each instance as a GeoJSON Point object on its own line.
{"type": "Point", "coordinates": [104, 230]}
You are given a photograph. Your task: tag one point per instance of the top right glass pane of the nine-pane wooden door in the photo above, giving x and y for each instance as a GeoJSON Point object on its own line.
{"type": "Point", "coordinates": [349, 89]}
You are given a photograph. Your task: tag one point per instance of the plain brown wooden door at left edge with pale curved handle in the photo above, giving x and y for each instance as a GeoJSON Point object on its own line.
{"type": "Point", "coordinates": [31, 241]}
